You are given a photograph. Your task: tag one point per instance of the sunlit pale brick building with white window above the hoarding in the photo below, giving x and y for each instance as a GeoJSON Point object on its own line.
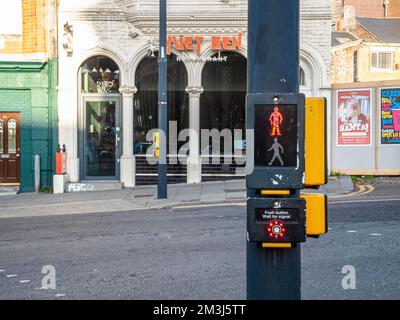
{"type": "Point", "coordinates": [370, 51]}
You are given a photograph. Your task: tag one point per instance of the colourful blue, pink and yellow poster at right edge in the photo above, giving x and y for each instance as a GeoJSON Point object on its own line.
{"type": "Point", "coordinates": [390, 116]}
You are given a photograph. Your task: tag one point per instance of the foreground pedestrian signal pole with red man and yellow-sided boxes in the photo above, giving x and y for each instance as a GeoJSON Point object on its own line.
{"type": "Point", "coordinates": [276, 118]}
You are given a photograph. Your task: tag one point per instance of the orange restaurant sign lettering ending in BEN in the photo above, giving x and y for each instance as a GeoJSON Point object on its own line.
{"type": "Point", "coordinates": [190, 43]}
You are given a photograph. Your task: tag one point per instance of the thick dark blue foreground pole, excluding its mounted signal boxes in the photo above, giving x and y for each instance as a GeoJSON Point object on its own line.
{"type": "Point", "coordinates": [273, 67]}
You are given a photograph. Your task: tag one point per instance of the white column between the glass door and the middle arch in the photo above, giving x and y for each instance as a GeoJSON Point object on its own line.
{"type": "Point", "coordinates": [128, 165]}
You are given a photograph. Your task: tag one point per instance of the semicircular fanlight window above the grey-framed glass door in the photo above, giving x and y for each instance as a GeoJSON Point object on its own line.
{"type": "Point", "coordinates": [99, 74]}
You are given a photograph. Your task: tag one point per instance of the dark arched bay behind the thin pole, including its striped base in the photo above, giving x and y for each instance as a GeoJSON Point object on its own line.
{"type": "Point", "coordinates": [146, 116]}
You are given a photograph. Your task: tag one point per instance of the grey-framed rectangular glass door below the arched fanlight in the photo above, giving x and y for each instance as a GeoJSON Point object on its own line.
{"type": "Point", "coordinates": [101, 135]}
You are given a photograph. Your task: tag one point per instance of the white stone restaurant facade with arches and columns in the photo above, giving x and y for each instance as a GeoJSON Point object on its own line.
{"type": "Point", "coordinates": [107, 94]}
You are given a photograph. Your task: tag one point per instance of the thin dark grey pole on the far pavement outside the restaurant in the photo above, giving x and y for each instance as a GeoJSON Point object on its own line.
{"type": "Point", "coordinates": [162, 102]}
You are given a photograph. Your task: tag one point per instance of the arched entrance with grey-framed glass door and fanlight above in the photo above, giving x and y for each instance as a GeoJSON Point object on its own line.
{"type": "Point", "coordinates": [99, 119]}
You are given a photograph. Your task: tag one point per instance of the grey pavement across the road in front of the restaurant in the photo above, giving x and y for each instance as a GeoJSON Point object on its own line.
{"type": "Point", "coordinates": [139, 198]}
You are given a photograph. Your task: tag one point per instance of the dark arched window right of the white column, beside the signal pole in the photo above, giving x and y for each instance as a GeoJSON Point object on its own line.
{"type": "Point", "coordinates": [223, 106]}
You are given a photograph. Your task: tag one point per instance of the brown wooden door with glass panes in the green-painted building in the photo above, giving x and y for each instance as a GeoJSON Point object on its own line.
{"type": "Point", "coordinates": [10, 148]}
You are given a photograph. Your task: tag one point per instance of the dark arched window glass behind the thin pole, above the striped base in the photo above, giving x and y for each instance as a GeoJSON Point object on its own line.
{"type": "Point", "coordinates": [146, 99]}
